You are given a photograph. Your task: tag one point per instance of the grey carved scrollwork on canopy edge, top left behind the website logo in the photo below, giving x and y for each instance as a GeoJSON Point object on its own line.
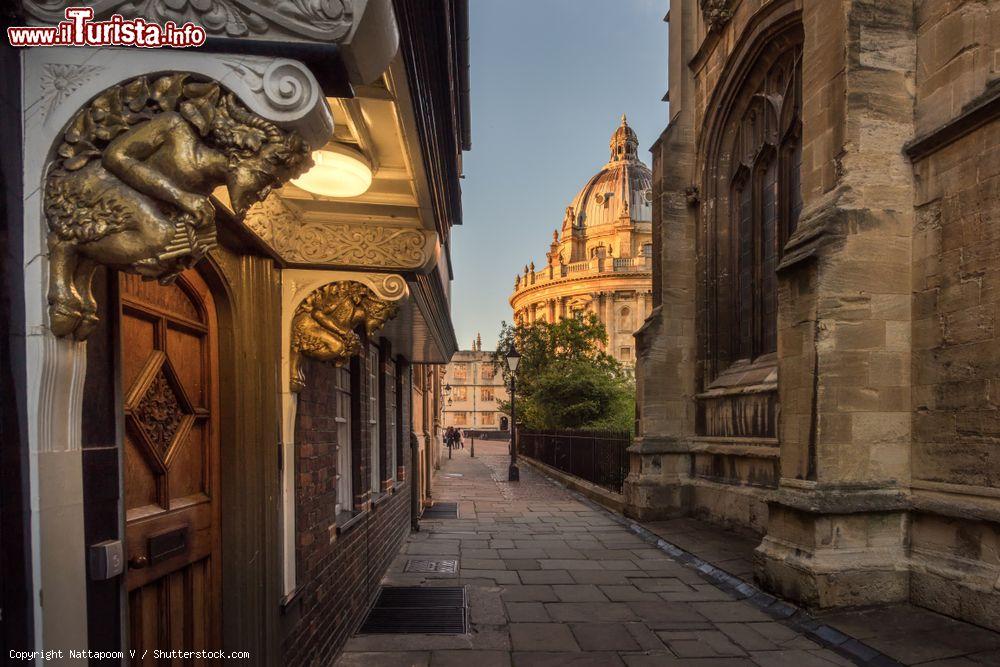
{"type": "Point", "coordinates": [320, 20]}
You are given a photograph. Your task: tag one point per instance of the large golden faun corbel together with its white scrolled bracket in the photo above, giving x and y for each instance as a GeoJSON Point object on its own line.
{"type": "Point", "coordinates": [107, 202]}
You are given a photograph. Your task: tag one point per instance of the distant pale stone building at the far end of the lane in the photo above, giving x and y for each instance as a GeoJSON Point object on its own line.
{"type": "Point", "coordinates": [473, 390]}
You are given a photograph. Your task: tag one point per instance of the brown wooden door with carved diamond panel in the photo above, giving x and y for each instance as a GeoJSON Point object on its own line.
{"type": "Point", "coordinates": [169, 372]}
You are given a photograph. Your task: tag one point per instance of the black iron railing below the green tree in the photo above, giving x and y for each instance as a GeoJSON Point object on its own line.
{"type": "Point", "coordinates": [599, 457]}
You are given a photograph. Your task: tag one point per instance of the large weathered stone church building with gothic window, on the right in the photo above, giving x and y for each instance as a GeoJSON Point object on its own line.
{"type": "Point", "coordinates": [821, 358]}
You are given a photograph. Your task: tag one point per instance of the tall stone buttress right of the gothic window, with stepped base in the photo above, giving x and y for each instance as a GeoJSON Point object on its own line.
{"type": "Point", "coordinates": [836, 530]}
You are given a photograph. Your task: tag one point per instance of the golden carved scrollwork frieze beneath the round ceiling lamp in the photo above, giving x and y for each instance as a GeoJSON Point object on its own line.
{"type": "Point", "coordinates": [364, 245]}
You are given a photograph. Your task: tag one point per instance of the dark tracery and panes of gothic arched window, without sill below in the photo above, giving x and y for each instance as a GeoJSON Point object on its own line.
{"type": "Point", "coordinates": [763, 188]}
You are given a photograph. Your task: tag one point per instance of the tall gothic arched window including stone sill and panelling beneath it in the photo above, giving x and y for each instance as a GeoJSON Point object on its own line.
{"type": "Point", "coordinates": [752, 155]}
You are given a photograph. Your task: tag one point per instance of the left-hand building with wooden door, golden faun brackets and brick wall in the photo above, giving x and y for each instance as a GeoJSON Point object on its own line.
{"type": "Point", "coordinates": [223, 379]}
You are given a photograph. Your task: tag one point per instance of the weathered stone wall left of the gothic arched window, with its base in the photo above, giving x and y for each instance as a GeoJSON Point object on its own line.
{"type": "Point", "coordinates": [680, 464]}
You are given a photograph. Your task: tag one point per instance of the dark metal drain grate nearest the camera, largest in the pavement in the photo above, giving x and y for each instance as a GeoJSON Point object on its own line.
{"type": "Point", "coordinates": [415, 609]}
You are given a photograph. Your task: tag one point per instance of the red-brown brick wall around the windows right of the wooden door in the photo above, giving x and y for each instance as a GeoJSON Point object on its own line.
{"type": "Point", "coordinates": [338, 575]}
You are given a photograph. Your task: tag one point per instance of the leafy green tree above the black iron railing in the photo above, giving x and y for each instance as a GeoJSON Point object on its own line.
{"type": "Point", "coordinates": [565, 379]}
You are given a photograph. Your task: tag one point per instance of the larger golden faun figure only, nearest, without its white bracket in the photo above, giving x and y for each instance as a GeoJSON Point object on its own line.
{"type": "Point", "coordinates": [129, 188]}
